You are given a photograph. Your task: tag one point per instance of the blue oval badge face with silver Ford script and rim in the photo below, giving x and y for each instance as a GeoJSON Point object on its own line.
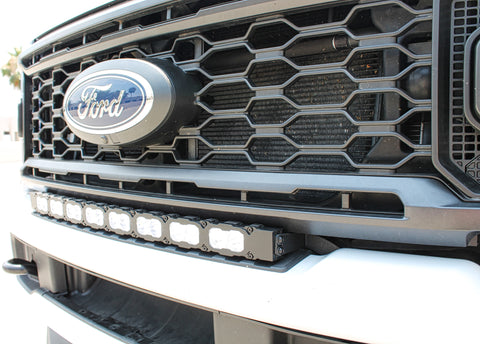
{"type": "Point", "coordinates": [105, 101]}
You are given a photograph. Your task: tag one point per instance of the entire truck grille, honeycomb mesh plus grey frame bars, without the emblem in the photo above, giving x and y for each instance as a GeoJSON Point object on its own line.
{"type": "Point", "coordinates": [333, 118]}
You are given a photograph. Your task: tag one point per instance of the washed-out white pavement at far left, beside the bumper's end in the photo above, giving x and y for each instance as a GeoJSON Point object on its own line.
{"type": "Point", "coordinates": [17, 325]}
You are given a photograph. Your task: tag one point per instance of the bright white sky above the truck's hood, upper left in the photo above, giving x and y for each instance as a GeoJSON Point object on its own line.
{"type": "Point", "coordinates": [23, 20]}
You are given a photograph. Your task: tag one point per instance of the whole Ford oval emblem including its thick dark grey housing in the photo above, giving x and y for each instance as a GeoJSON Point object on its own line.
{"type": "Point", "coordinates": [124, 101]}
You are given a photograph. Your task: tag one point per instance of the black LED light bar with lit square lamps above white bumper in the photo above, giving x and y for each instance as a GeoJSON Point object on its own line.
{"type": "Point", "coordinates": [254, 242]}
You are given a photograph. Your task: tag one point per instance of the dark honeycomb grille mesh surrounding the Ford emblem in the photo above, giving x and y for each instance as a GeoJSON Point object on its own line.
{"type": "Point", "coordinates": [324, 90]}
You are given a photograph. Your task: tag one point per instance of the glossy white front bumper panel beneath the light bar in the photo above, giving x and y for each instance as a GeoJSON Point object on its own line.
{"type": "Point", "coordinates": [359, 295]}
